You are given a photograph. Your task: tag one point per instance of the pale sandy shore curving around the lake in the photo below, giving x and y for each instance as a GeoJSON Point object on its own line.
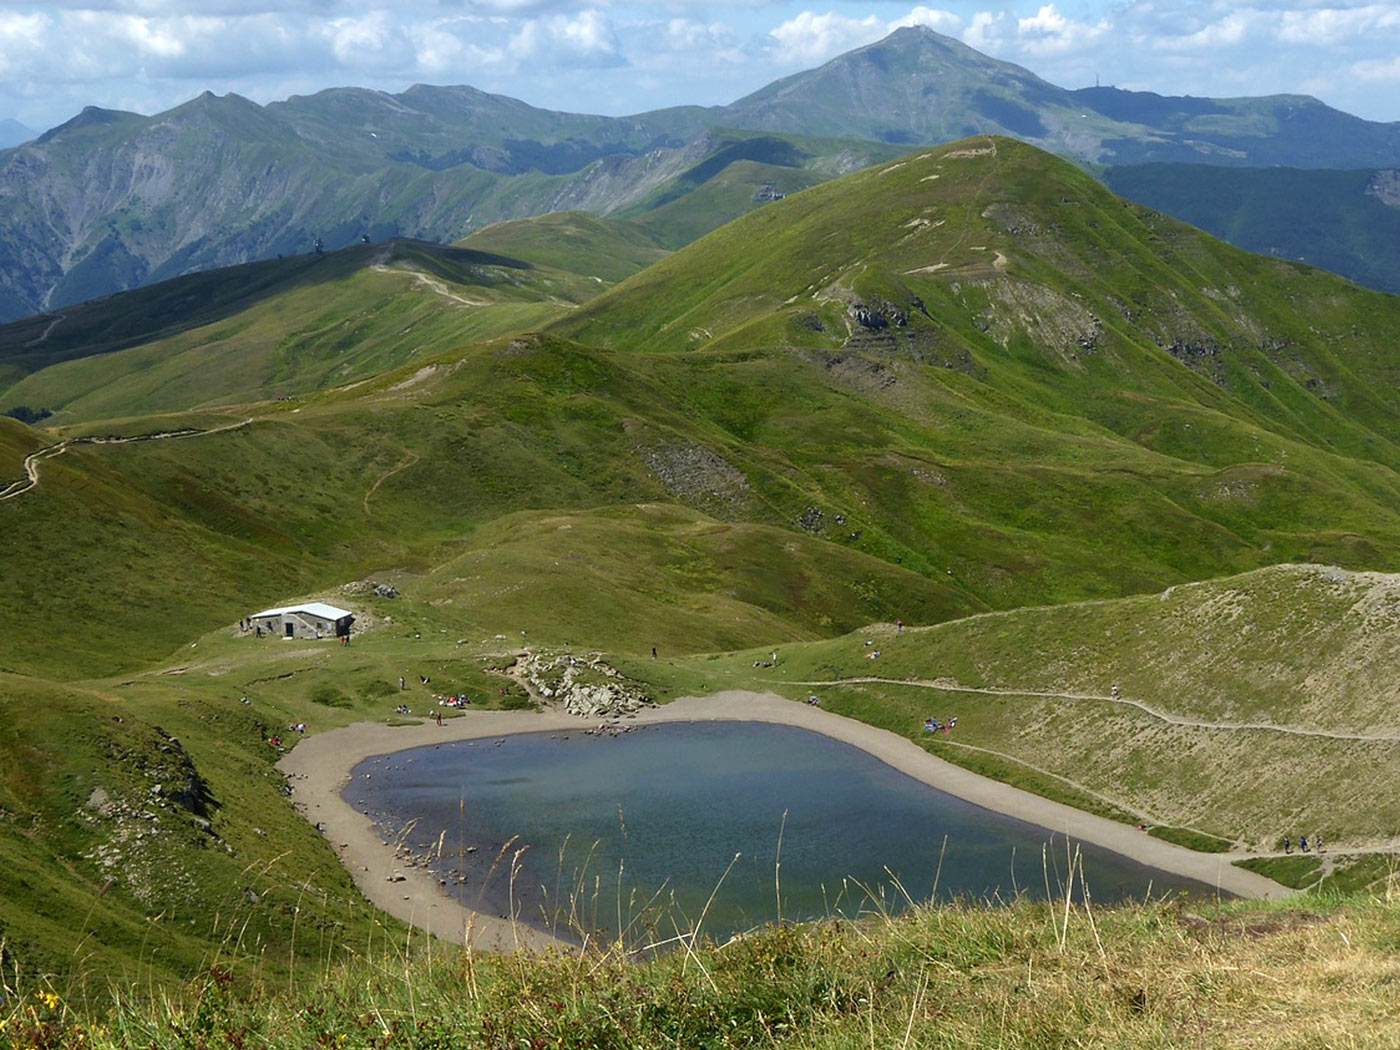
{"type": "Point", "coordinates": [320, 769]}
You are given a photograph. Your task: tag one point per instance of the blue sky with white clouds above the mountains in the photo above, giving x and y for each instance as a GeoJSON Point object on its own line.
{"type": "Point", "coordinates": [626, 57]}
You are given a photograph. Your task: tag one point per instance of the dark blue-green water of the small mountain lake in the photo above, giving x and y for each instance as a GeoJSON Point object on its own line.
{"type": "Point", "coordinates": [660, 814]}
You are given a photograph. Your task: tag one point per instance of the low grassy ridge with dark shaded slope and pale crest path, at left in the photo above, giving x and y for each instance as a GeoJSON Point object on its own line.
{"type": "Point", "coordinates": [348, 317]}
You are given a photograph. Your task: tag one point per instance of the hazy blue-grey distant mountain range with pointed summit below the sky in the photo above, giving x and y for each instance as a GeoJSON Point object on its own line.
{"type": "Point", "coordinates": [114, 201]}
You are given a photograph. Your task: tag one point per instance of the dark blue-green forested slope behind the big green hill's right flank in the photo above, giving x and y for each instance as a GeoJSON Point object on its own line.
{"type": "Point", "coordinates": [1346, 222]}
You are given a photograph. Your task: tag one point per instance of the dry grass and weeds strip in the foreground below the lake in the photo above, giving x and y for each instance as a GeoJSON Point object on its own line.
{"type": "Point", "coordinates": [1307, 974]}
